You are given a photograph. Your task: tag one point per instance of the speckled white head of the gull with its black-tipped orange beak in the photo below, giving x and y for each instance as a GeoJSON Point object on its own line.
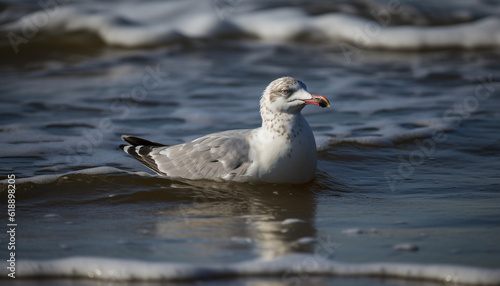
{"type": "Point", "coordinates": [289, 95]}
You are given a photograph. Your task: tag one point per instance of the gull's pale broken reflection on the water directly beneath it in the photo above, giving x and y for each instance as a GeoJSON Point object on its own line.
{"type": "Point", "coordinates": [272, 219]}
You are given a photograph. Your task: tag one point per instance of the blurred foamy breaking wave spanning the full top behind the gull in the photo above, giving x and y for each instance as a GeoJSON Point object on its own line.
{"type": "Point", "coordinates": [159, 23]}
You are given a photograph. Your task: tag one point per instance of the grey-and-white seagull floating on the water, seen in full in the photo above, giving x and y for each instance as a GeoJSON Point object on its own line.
{"type": "Point", "coordinates": [282, 150]}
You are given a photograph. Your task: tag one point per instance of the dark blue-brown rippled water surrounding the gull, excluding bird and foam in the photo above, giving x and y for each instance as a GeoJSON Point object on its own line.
{"type": "Point", "coordinates": [408, 153]}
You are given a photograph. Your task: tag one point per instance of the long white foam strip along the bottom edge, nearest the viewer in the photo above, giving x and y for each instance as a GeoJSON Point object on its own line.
{"type": "Point", "coordinates": [289, 267]}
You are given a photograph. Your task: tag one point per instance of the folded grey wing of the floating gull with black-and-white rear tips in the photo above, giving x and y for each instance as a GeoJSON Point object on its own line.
{"type": "Point", "coordinates": [223, 155]}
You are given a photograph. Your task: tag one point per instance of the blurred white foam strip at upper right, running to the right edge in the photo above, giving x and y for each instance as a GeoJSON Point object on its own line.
{"type": "Point", "coordinates": [369, 34]}
